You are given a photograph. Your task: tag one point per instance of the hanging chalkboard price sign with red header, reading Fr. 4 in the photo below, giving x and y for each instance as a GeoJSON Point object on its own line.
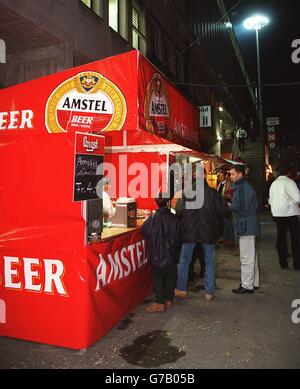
{"type": "Point", "coordinates": [88, 168]}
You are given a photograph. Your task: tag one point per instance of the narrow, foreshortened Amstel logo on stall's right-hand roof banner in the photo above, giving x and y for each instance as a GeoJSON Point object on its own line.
{"type": "Point", "coordinates": [157, 108]}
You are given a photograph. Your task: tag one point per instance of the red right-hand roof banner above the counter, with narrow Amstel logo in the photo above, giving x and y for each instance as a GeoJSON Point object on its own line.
{"type": "Point", "coordinates": [163, 111]}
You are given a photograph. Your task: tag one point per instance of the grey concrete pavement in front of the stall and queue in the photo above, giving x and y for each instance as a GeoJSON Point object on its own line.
{"type": "Point", "coordinates": [233, 331]}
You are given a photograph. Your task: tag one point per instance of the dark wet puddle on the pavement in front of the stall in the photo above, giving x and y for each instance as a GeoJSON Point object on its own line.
{"type": "Point", "coordinates": [151, 350]}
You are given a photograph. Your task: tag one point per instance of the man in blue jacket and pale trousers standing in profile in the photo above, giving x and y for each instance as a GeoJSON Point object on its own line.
{"type": "Point", "coordinates": [244, 209]}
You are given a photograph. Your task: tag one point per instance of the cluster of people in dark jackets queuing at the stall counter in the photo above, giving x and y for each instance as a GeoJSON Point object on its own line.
{"type": "Point", "coordinates": [173, 239]}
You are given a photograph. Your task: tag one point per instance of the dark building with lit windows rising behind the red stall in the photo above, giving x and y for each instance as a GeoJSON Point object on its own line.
{"type": "Point", "coordinates": [187, 40]}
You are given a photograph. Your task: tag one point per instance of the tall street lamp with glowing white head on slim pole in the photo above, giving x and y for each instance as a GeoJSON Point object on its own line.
{"type": "Point", "coordinates": [257, 22]}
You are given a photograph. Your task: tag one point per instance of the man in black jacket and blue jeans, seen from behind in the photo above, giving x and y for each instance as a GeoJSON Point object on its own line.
{"type": "Point", "coordinates": [203, 225]}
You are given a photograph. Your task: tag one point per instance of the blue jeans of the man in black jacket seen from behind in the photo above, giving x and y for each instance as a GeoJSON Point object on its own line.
{"type": "Point", "coordinates": [186, 255]}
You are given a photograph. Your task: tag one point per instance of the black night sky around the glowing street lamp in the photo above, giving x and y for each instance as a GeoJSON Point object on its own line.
{"type": "Point", "coordinates": [275, 49]}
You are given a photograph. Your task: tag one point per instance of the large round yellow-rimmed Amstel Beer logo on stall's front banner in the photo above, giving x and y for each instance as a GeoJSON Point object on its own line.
{"type": "Point", "coordinates": [87, 101]}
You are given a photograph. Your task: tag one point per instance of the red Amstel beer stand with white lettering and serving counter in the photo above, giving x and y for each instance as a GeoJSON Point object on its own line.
{"type": "Point", "coordinates": [56, 287]}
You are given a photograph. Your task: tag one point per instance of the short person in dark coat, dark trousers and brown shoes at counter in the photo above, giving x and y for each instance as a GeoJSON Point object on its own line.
{"type": "Point", "coordinates": [163, 231]}
